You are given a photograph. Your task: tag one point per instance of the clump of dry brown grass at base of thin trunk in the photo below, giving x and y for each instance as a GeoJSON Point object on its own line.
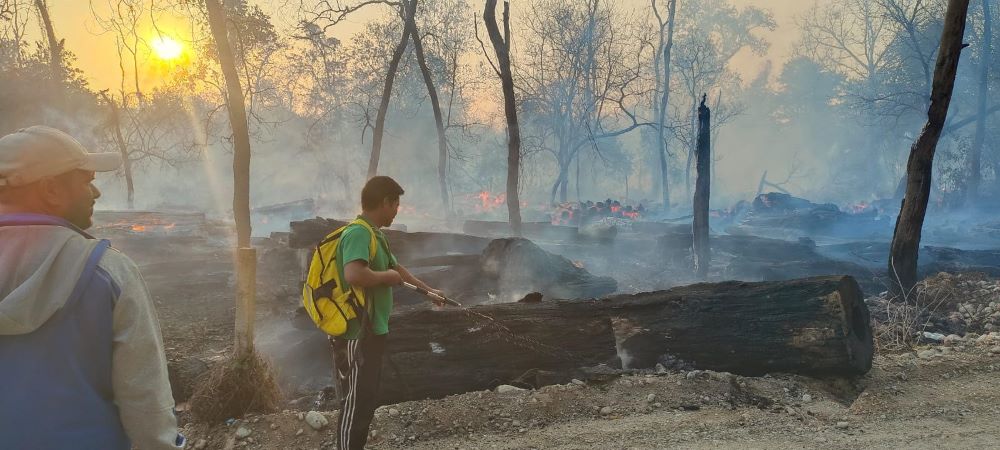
{"type": "Point", "coordinates": [238, 386]}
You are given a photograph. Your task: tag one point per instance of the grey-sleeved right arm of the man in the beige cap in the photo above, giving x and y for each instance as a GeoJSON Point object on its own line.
{"type": "Point", "coordinates": [139, 379]}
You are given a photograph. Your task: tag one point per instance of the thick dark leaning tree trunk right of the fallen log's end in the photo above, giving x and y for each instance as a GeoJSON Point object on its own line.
{"type": "Point", "coordinates": [906, 237]}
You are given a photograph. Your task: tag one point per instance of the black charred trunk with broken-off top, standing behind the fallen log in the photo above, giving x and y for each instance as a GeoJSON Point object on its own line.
{"type": "Point", "coordinates": [702, 192]}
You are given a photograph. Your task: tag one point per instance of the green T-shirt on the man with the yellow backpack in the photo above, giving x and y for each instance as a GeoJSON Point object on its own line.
{"type": "Point", "coordinates": [354, 246]}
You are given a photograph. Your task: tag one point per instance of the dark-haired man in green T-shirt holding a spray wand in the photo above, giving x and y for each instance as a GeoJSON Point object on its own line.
{"type": "Point", "coordinates": [358, 354]}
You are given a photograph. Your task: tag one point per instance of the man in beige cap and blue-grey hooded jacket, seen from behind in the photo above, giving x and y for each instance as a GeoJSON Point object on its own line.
{"type": "Point", "coordinates": [81, 357]}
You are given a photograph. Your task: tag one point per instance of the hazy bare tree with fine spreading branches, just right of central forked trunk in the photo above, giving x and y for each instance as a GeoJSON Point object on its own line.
{"type": "Point", "coordinates": [581, 79]}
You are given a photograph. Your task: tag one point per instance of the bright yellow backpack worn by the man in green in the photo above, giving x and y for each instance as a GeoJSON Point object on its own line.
{"type": "Point", "coordinates": [327, 303]}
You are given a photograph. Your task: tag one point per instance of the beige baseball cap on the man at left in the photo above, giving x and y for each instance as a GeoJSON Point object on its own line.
{"type": "Point", "coordinates": [37, 152]}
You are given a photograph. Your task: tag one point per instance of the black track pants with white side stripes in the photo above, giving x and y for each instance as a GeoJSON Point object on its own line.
{"type": "Point", "coordinates": [359, 363]}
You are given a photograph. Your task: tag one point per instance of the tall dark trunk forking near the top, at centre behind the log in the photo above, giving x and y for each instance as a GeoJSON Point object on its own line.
{"type": "Point", "coordinates": [501, 46]}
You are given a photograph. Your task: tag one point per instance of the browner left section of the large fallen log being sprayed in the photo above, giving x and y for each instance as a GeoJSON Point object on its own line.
{"type": "Point", "coordinates": [434, 353]}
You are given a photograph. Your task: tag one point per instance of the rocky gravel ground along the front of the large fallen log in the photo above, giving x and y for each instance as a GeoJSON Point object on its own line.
{"type": "Point", "coordinates": [940, 395]}
